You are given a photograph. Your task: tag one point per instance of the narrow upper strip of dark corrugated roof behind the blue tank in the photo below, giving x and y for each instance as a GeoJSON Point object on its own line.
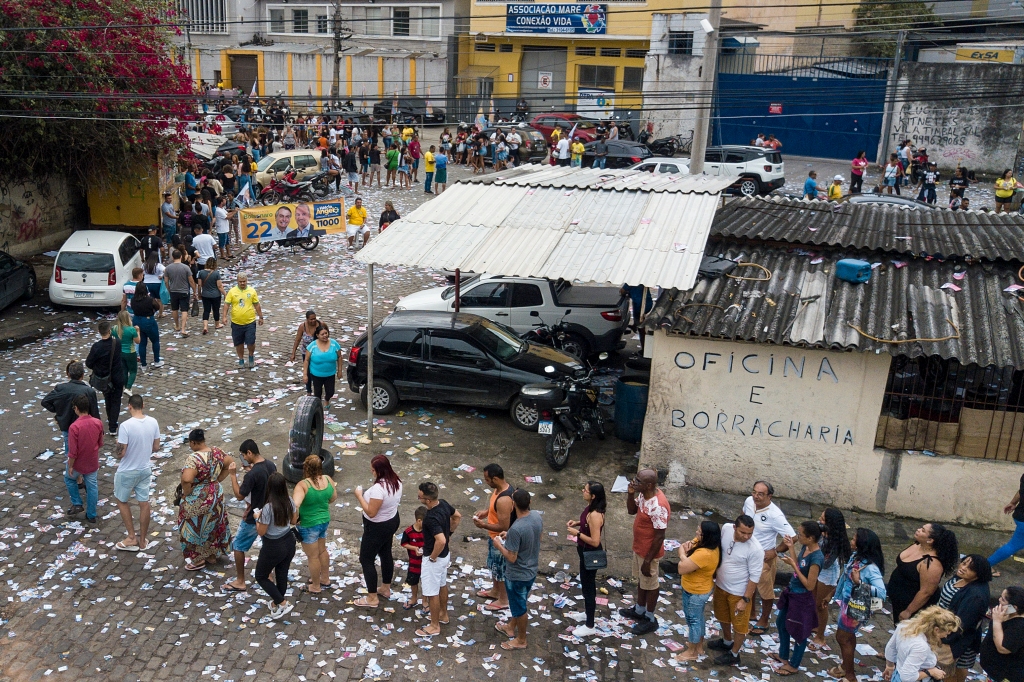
{"type": "Point", "coordinates": [894, 230]}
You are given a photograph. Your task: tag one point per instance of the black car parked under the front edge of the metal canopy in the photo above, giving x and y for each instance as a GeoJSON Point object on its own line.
{"type": "Point", "coordinates": [457, 359]}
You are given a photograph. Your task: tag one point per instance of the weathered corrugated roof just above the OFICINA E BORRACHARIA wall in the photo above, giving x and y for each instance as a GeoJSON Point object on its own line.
{"type": "Point", "coordinates": [804, 305]}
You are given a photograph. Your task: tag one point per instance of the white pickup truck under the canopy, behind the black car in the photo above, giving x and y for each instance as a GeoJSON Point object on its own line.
{"type": "Point", "coordinates": [598, 317]}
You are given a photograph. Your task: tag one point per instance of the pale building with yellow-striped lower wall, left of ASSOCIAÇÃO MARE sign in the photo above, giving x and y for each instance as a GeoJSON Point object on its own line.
{"type": "Point", "coordinates": [394, 49]}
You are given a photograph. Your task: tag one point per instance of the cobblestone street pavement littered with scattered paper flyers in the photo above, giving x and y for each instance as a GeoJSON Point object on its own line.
{"type": "Point", "coordinates": [77, 609]}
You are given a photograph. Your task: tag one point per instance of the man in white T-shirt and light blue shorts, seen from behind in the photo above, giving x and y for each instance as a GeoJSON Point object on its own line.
{"type": "Point", "coordinates": [139, 438]}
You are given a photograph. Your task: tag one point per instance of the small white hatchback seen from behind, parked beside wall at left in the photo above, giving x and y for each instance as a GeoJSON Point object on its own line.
{"type": "Point", "coordinates": [92, 268]}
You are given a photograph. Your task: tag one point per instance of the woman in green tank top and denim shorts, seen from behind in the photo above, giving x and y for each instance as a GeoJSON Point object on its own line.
{"type": "Point", "coordinates": [313, 498]}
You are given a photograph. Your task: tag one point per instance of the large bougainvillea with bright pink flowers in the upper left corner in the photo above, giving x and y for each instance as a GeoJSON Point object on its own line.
{"type": "Point", "coordinates": [90, 89]}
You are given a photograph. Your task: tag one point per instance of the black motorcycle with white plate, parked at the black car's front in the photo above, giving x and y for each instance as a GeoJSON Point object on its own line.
{"type": "Point", "coordinates": [569, 411]}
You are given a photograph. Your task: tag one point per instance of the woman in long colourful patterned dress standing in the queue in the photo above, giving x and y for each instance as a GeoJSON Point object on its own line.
{"type": "Point", "coordinates": [203, 518]}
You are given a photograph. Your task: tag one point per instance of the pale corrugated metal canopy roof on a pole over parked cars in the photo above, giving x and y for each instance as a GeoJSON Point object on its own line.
{"type": "Point", "coordinates": [571, 224]}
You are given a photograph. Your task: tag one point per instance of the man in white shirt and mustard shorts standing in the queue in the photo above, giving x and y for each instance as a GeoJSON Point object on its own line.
{"type": "Point", "coordinates": [736, 582]}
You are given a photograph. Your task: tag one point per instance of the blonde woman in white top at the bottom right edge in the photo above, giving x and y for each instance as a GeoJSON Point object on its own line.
{"type": "Point", "coordinates": [911, 652]}
